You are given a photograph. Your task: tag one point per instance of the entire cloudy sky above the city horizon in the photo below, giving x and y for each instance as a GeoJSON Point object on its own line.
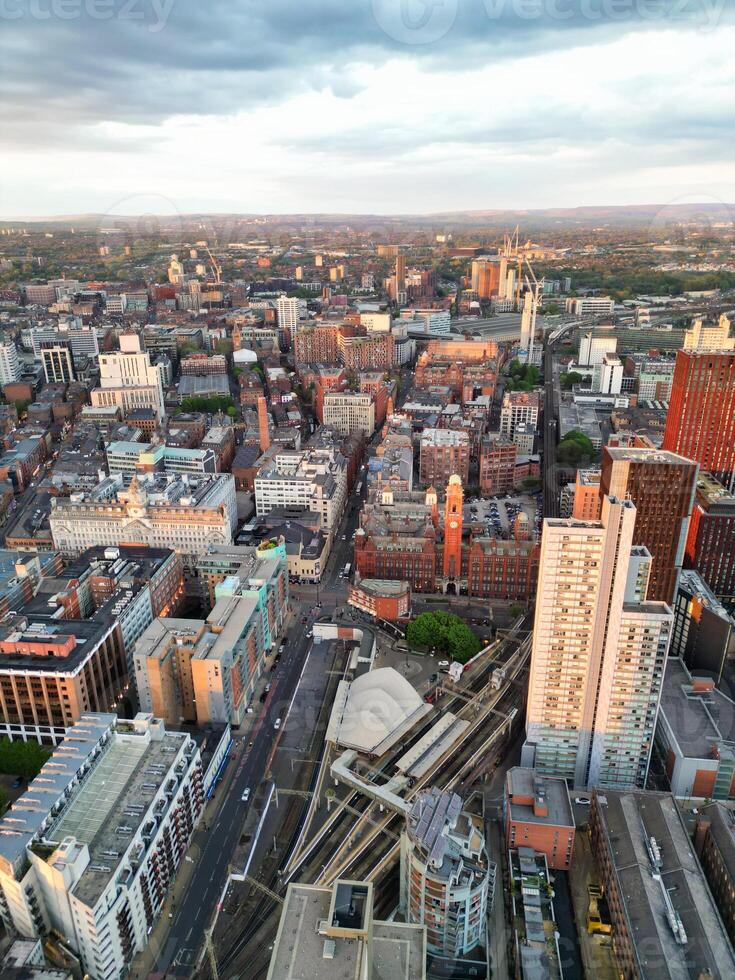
{"type": "Point", "coordinates": [383, 106]}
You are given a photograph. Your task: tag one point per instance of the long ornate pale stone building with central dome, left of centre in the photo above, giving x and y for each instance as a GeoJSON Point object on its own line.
{"type": "Point", "coordinates": [185, 513]}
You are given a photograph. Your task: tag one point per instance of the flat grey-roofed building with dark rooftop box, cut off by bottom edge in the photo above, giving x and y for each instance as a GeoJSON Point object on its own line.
{"type": "Point", "coordinates": [332, 933]}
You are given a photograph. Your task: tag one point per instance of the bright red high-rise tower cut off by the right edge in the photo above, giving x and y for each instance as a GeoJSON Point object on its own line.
{"type": "Point", "coordinates": [700, 423]}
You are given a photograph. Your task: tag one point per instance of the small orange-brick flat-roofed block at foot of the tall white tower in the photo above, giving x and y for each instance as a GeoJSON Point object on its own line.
{"type": "Point", "coordinates": [538, 814]}
